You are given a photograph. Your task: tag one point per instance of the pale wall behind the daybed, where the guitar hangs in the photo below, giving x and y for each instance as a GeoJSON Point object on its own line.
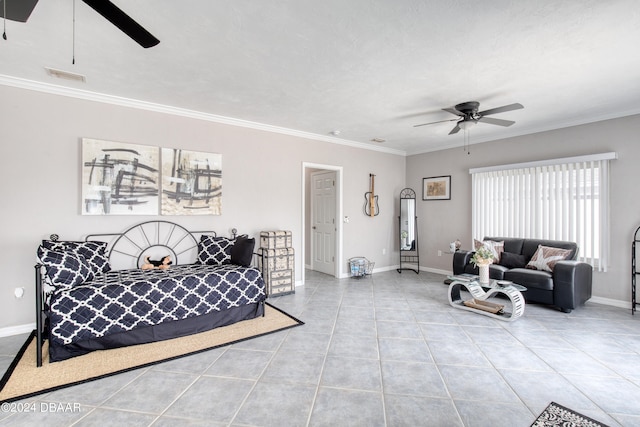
{"type": "Point", "coordinates": [262, 182]}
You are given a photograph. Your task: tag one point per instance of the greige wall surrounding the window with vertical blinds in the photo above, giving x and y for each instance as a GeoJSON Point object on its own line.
{"type": "Point", "coordinates": [441, 222]}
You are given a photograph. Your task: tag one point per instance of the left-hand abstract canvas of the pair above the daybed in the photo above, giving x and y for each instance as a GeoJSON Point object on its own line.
{"type": "Point", "coordinates": [119, 178]}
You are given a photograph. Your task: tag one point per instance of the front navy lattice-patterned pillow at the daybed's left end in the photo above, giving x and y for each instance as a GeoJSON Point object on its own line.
{"type": "Point", "coordinates": [65, 269]}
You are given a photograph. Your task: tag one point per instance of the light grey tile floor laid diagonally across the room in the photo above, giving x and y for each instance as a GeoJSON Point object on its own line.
{"type": "Point", "coordinates": [385, 350]}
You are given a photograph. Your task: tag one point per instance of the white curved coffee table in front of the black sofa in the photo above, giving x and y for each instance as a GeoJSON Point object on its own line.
{"type": "Point", "coordinates": [480, 292]}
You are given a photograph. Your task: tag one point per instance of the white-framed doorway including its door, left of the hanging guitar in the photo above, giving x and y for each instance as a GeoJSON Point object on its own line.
{"type": "Point", "coordinates": [322, 210]}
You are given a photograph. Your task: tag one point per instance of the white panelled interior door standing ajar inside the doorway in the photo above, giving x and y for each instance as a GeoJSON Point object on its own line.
{"type": "Point", "coordinates": [323, 222]}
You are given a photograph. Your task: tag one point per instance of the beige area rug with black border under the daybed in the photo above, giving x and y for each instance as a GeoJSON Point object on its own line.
{"type": "Point", "coordinates": [23, 379]}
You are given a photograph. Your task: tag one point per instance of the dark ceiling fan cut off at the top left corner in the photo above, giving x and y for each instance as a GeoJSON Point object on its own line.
{"type": "Point", "coordinates": [20, 10]}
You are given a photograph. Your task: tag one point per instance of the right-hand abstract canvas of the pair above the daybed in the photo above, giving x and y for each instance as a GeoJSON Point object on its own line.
{"type": "Point", "coordinates": [191, 182]}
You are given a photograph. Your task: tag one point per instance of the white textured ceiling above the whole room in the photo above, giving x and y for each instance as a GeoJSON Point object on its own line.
{"type": "Point", "coordinates": [368, 68]}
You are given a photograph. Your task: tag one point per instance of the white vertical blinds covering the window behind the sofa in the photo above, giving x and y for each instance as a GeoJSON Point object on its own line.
{"type": "Point", "coordinates": [562, 199]}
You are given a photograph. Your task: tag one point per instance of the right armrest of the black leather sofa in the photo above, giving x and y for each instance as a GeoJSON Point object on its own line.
{"type": "Point", "coordinates": [571, 284]}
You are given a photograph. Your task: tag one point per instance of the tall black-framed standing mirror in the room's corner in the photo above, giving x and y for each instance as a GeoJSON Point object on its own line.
{"type": "Point", "coordinates": [408, 232]}
